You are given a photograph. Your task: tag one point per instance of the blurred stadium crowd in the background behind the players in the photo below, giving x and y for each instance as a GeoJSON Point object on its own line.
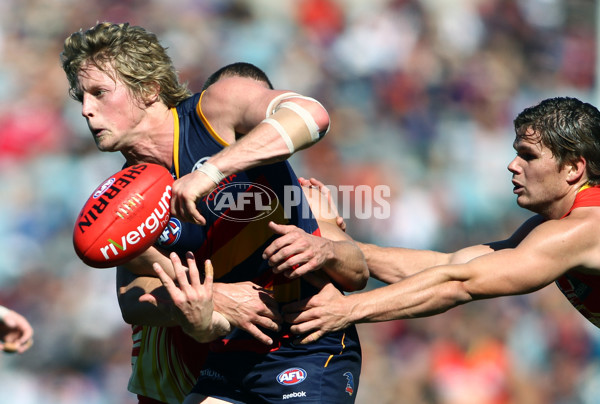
{"type": "Point", "coordinates": [422, 95]}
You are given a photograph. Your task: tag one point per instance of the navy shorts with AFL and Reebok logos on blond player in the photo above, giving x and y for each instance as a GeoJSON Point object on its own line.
{"type": "Point", "coordinates": [326, 371]}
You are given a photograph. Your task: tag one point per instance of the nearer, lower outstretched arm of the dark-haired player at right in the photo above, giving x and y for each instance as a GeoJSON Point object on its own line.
{"type": "Point", "coordinates": [547, 252]}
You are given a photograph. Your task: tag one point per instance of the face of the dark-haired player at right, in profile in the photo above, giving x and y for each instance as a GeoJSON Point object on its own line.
{"type": "Point", "coordinates": [538, 182]}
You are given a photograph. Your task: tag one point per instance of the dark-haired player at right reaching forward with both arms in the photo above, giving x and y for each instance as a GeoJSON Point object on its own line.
{"type": "Point", "coordinates": [556, 174]}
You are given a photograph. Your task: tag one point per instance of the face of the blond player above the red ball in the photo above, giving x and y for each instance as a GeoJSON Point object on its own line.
{"type": "Point", "coordinates": [111, 111]}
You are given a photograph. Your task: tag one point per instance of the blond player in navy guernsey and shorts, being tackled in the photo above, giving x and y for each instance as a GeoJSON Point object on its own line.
{"type": "Point", "coordinates": [134, 104]}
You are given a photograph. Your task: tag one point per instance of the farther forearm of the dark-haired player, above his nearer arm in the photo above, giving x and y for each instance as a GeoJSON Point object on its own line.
{"type": "Point", "coordinates": [392, 264]}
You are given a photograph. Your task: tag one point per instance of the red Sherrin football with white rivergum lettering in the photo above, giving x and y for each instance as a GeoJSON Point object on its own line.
{"type": "Point", "coordinates": [123, 216]}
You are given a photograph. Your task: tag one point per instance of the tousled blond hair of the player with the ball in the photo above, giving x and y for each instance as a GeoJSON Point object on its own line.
{"type": "Point", "coordinates": [134, 53]}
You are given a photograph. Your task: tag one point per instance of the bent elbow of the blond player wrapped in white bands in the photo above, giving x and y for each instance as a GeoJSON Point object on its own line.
{"type": "Point", "coordinates": [293, 122]}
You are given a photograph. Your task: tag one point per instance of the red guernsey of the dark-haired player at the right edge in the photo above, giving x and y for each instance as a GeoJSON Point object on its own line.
{"type": "Point", "coordinates": [583, 290]}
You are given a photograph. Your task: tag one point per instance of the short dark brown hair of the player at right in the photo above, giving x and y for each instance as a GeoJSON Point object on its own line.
{"type": "Point", "coordinates": [568, 127]}
